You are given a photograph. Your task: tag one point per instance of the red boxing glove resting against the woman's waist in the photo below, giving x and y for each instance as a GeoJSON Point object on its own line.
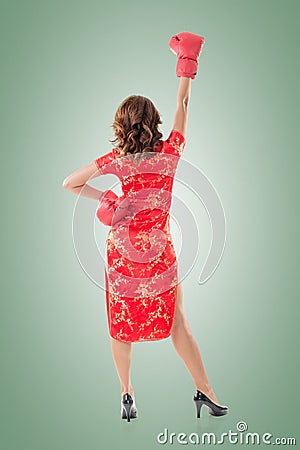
{"type": "Point", "coordinates": [111, 208]}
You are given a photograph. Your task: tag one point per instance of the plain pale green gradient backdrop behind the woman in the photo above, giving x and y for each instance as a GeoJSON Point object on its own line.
{"type": "Point", "coordinates": [65, 67]}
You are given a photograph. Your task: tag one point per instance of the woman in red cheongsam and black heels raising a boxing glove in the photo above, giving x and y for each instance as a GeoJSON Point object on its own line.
{"type": "Point", "coordinates": [155, 311]}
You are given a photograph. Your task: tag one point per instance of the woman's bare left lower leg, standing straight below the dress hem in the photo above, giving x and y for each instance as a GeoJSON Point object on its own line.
{"type": "Point", "coordinates": [121, 352]}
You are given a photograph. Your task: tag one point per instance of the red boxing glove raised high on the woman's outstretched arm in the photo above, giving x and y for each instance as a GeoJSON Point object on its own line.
{"type": "Point", "coordinates": [187, 47]}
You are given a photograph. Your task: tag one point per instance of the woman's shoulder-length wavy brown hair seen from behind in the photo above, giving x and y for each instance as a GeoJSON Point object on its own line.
{"type": "Point", "coordinates": [136, 126]}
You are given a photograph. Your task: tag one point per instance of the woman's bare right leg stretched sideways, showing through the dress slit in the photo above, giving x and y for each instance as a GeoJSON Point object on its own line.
{"type": "Point", "coordinates": [187, 348]}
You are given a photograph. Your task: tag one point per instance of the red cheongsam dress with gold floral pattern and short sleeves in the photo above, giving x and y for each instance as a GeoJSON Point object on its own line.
{"type": "Point", "coordinates": [141, 272]}
